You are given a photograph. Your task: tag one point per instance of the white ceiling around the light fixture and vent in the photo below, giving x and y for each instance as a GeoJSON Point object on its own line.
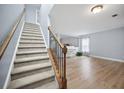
{"type": "Point", "coordinates": [77, 19]}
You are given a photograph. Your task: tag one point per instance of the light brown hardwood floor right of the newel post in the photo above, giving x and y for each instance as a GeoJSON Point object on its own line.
{"type": "Point", "coordinates": [93, 73]}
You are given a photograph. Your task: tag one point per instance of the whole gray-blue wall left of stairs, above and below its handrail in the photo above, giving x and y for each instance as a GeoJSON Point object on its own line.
{"type": "Point", "coordinates": [9, 13]}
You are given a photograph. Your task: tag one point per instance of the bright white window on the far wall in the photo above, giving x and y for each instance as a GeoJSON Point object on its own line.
{"type": "Point", "coordinates": [85, 45]}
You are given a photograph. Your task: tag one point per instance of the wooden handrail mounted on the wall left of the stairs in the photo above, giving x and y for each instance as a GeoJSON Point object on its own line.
{"type": "Point", "coordinates": [10, 35]}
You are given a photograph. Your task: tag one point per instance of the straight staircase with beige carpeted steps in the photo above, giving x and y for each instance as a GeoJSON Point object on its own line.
{"type": "Point", "coordinates": [32, 68]}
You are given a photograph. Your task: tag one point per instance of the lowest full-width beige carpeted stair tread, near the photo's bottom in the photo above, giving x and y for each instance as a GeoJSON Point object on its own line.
{"type": "Point", "coordinates": [30, 79]}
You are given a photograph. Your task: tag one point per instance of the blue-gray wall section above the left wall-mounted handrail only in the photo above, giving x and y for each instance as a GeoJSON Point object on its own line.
{"type": "Point", "coordinates": [8, 16]}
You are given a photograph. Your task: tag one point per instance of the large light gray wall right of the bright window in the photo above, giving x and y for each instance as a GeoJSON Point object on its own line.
{"type": "Point", "coordinates": [108, 44]}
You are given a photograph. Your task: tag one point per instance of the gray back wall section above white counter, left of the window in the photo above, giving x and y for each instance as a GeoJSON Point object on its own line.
{"type": "Point", "coordinates": [73, 41]}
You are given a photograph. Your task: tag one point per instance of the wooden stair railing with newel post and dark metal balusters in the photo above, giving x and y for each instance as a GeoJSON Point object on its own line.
{"type": "Point", "coordinates": [57, 55]}
